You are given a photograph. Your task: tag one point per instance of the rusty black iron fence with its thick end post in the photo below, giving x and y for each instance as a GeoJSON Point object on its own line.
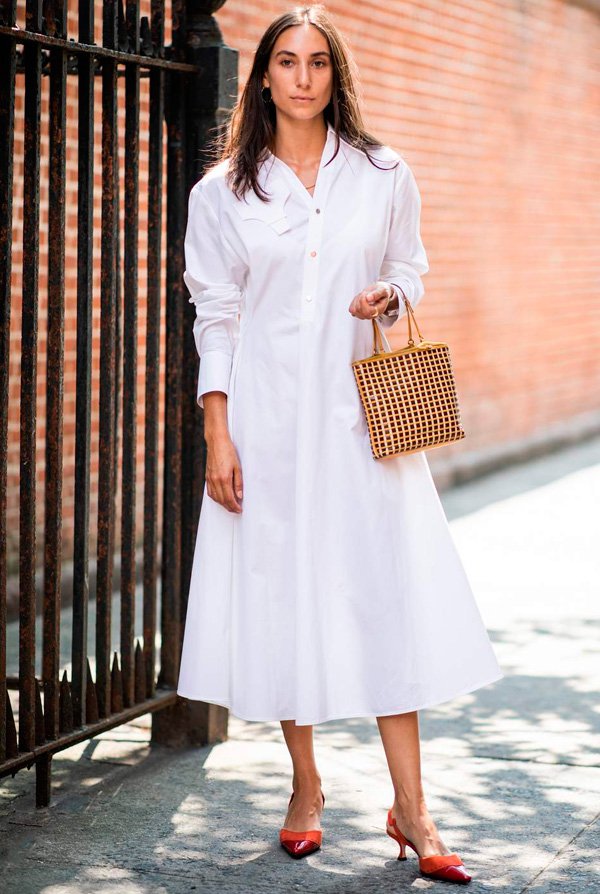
{"type": "Point", "coordinates": [192, 82]}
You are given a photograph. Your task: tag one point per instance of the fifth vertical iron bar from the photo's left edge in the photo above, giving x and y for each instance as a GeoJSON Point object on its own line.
{"type": "Point", "coordinates": [108, 300]}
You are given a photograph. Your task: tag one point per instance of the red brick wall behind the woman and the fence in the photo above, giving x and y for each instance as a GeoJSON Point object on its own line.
{"type": "Point", "coordinates": [494, 105]}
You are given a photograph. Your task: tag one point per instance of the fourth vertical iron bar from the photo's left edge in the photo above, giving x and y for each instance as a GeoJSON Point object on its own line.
{"type": "Point", "coordinates": [85, 225]}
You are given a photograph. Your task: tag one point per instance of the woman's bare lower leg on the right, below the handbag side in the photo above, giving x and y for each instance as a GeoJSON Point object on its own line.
{"type": "Point", "coordinates": [400, 737]}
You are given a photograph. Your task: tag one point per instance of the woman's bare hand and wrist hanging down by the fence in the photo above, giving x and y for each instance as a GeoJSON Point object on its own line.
{"type": "Point", "coordinates": [223, 469]}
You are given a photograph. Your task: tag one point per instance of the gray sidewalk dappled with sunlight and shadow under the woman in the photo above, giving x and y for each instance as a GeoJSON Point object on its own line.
{"type": "Point", "coordinates": [511, 771]}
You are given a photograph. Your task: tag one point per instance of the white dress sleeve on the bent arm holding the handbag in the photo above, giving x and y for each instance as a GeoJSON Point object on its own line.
{"type": "Point", "coordinates": [405, 260]}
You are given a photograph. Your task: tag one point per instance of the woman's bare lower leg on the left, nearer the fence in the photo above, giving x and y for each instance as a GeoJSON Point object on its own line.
{"type": "Point", "coordinates": [305, 810]}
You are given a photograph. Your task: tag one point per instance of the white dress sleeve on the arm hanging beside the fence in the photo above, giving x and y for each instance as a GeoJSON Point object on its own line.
{"type": "Point", "coordinates": [215, 277]}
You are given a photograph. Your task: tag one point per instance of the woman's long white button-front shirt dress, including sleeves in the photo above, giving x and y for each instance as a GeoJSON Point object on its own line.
{"type": "Point", "coordinates": [337, 592]}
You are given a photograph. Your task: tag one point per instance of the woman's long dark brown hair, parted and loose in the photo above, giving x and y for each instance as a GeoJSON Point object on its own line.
{"type": "Point", "coordinates": [252, 124]}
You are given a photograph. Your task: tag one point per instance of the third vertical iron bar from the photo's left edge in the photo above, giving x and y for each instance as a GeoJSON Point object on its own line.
{"type": "Point", "coordinates": [54, 376]}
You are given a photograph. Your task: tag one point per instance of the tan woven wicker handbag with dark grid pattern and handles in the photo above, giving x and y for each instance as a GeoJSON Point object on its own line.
{"type": "Point", "coordinates": [409, 395]}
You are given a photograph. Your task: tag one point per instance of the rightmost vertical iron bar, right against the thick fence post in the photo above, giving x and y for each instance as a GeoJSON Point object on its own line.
{"type": "Point", "coordinates": [171, 632]}
